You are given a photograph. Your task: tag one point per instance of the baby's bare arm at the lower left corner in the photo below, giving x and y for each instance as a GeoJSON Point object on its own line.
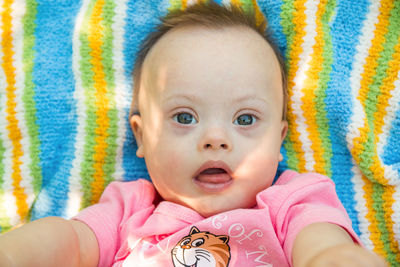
{"type": "Point", "coordinates": [50, 242]}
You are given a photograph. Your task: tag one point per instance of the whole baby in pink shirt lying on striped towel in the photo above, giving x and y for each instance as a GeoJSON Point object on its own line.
{"type": "Point", "coordinates": [208, 117]}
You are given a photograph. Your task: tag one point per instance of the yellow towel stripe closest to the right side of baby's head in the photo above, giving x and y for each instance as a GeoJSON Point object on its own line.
{"type": "Point", "coordinates": [299, 21]}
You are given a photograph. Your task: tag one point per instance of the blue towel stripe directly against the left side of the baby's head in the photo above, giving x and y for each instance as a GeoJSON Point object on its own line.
{"type": "Point", "coordinates": [136, 29]}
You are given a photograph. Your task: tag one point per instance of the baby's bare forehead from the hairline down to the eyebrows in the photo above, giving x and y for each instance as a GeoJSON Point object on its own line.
{"type": "Point", "coordinates": [193, 58]}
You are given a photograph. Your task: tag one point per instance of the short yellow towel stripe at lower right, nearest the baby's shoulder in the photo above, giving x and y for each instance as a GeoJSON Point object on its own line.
{"type": "Point", "coordinates": [370, 216]}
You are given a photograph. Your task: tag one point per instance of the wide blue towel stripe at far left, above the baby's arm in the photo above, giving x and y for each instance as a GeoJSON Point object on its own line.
{"type": "Point", "coordinates": [56, 108]}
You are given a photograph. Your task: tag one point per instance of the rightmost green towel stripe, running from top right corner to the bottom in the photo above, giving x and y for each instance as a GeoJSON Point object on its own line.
{"type": "Point", "coordinates": [366, 156]}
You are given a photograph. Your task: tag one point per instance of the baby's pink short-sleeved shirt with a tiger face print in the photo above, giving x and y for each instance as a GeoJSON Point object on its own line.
{"type": "Point", "coordinates": [132, 231]}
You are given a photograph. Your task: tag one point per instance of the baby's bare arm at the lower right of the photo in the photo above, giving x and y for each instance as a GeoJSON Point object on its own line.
{"type": "Point", "coordinates": [325, 244]}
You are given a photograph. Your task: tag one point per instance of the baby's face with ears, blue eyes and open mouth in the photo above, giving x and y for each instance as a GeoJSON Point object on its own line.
{"type": "Point", "coordinates": [211, 126]}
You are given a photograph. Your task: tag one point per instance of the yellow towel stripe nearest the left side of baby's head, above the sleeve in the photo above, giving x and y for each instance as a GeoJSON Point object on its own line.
{"type": "Point", "coordinates": [101, 101]}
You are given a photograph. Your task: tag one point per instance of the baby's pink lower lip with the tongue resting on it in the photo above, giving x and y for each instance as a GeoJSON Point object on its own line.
{"type": "Point", "coordinates": [213, 183]}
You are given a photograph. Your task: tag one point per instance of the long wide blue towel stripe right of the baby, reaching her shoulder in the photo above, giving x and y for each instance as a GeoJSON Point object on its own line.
{"type": "Point", "coordinates": [345, 30]}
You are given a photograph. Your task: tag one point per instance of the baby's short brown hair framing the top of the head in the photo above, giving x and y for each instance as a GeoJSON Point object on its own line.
{"type": "Point", "coordinates": [207, 14]}
